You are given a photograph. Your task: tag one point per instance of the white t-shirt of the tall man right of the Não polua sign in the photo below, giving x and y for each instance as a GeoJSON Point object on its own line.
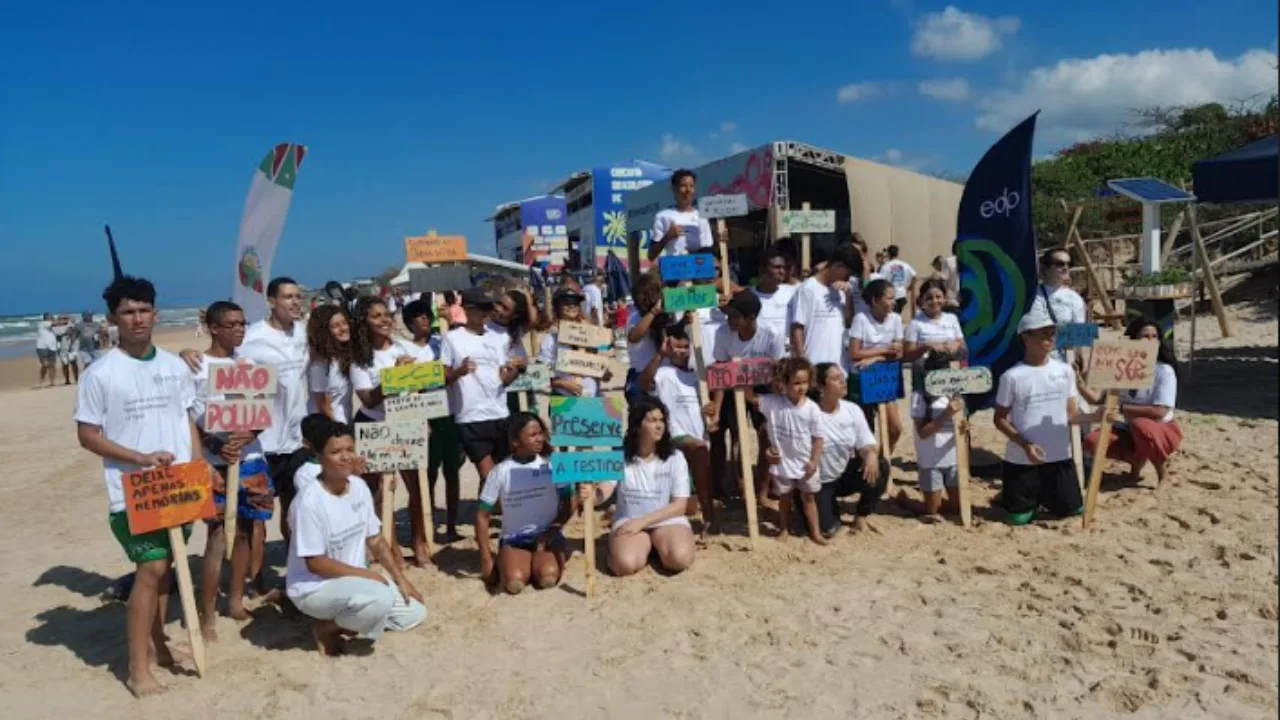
{"type": "Point", "coordinates": [289, 353]}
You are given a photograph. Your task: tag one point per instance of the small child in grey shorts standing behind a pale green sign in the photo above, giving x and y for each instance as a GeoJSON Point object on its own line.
{"type": "Point", "coordinates": [935, 446]}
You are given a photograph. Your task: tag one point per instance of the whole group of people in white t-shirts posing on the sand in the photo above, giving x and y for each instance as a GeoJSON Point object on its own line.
{"type": "Point", "coordinates": [140, 407]}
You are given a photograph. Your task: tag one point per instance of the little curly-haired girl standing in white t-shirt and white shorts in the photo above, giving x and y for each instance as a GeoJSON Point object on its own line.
{"type": "Point", "coordinates": [796, 435]}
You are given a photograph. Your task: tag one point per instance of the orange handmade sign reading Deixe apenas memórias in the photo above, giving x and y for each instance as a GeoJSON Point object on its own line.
{"type": "Point", "coordinates": [168, 498]}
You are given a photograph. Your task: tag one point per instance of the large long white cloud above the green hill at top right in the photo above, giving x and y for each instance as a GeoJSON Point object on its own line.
{"type": "Point", "coordinates": [1087, 98]}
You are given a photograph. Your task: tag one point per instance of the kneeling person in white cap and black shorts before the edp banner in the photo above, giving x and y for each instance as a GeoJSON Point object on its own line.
{"type": "Point", "coordinates": [1036, 403]}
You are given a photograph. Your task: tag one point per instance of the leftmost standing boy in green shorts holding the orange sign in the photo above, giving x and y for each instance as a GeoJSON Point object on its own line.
{"type": "Point", "coordinates": [141, 397]}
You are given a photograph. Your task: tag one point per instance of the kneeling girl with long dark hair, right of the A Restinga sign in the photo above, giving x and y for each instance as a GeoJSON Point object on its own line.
{"type": "Point", "coordinates": [653, 496]}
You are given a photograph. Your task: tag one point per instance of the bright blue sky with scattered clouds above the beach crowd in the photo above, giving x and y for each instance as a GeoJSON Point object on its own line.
{"type": "Point", "coordinates": [427, 116]}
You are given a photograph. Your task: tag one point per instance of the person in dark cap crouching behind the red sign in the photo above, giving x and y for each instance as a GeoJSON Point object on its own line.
{"type": "Point", "coordinates": [742, 338]}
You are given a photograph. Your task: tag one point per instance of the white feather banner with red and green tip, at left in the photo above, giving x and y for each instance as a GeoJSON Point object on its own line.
{"type": "Point", "coordinates": [262, 225]}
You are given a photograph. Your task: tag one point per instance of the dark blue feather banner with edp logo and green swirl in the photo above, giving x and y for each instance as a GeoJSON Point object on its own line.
{"type": "Point", "coordinates": [996, 254]}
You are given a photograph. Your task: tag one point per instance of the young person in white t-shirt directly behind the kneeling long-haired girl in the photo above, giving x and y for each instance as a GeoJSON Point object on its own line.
{"type": "Point", "coordinates": [671, 377]}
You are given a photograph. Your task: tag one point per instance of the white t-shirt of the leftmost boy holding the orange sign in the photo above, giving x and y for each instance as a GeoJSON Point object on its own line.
{"type": "Point", "coordinates": [144, 405]}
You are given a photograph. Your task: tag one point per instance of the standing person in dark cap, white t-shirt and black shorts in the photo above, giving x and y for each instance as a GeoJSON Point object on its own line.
{"type": "Point", "coordinates": [479, 363]}
